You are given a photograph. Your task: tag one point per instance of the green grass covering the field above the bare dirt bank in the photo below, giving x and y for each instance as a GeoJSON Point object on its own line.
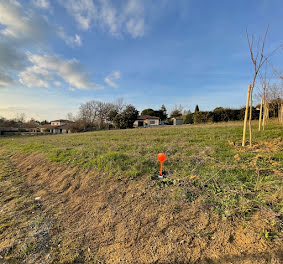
{"type": "Point", "coordinates": [199, 154]}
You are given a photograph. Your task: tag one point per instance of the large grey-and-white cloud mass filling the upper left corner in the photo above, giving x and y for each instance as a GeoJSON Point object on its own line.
{"type": "Point", "coordinates": [21, 30]}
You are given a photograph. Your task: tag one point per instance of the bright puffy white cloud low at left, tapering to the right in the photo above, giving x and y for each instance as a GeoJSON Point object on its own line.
{"type": "Point", "coordinates": [45, 68]}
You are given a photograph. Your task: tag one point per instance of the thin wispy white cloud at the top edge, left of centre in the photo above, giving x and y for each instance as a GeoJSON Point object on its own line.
{"type": "Point", "coordinates": [128, 18]}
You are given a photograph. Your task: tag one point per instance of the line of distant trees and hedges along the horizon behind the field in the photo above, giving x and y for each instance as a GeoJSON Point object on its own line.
{"type": "Point", "coordinates": [97, 115]}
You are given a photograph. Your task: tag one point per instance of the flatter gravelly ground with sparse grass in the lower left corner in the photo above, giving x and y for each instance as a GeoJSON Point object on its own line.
{"type": "Point", "coordinates": [25, 227]}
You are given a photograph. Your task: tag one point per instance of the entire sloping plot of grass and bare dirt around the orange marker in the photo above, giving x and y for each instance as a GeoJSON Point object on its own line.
{"type": "Point", "coordinates": [95, 197]}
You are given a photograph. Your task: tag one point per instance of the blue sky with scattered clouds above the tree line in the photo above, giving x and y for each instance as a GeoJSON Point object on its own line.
{"type": "Point", "coordinates": [57, 54]}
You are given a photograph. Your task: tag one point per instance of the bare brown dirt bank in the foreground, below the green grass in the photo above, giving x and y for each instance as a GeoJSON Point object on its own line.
{"type": "Point", "coordinates": [102, 220]}
